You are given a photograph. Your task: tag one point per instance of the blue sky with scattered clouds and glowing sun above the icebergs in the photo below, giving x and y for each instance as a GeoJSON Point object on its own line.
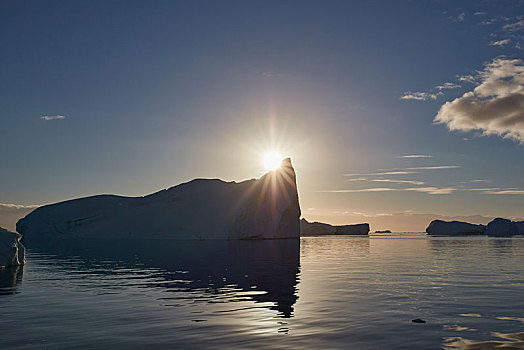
{"type": "Point", "coordinates": [393, 112]}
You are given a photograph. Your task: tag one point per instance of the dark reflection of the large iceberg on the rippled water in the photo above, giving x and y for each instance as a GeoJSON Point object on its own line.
{"type": "Point", "coordinates": [263, 271]}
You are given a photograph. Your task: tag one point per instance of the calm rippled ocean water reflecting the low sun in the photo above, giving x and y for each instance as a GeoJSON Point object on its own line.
{"type": "Point", "coordinates": [314, 293]}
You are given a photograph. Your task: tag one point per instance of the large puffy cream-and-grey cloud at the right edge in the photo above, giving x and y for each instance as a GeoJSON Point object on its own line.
{"type": "Point", "coordinates": [495, 106]}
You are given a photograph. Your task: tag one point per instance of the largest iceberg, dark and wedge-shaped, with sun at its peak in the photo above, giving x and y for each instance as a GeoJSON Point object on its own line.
{"type": "Point", "coordinates": [265, 208]}
